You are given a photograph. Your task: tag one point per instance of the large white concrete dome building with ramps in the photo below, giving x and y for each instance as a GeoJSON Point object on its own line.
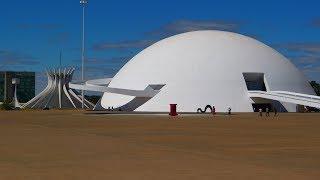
{"type": "Point", "coordinates": [217, 68]}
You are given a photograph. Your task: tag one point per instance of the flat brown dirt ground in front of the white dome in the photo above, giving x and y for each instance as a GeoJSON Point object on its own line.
{"type": "Point", "coordinates": [75, 145]}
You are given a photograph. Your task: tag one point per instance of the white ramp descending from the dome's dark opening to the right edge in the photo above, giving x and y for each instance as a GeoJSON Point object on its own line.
{"type": "Point", "coordinates": [289, 97]}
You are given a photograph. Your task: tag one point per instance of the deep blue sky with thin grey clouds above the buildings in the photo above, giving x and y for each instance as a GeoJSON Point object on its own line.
{"type": "Point", "coordinates": [33, 32]}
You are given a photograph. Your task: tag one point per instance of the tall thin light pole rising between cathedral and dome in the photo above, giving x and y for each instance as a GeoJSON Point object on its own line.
{"type": "Point", "coordinates": [83, 3]}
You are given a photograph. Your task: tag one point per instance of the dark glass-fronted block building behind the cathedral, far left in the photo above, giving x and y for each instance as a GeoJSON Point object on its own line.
{"type": "Point", "coordinates": [25, 90]}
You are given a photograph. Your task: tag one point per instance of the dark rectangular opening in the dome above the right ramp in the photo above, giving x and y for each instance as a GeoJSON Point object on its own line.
{"type": "Point", "coordinates": [255, 81]}
